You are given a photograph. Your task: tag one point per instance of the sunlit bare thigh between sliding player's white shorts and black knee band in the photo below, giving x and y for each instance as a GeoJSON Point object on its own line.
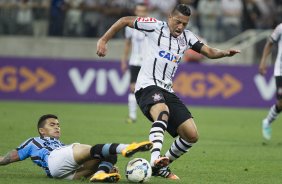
{"type": "Point", "coordinates": [81, 153]}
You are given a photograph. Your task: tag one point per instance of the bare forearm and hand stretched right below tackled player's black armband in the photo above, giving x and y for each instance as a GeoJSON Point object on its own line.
{"type": "Point", "coordinates": [214, 53]}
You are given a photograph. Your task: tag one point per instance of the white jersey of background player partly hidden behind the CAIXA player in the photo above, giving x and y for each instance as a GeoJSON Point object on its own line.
{"type": "Point", "coordinates": [138, 45]}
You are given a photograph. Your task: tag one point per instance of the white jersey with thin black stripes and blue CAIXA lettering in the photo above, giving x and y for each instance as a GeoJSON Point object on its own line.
{"type": "Point", "coordinates": [163, 55]}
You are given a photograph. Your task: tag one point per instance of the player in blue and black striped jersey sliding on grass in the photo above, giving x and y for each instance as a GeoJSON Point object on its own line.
{"type": "Point", "coordinates": [72, 161]}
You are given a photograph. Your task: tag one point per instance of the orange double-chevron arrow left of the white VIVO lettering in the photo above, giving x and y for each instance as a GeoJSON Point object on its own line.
{"type": "Point", "coordinates": [40, 80]}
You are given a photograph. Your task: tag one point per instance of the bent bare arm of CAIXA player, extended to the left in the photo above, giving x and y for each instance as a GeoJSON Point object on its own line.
{"type": "Point", "coordinates": [117, 26]}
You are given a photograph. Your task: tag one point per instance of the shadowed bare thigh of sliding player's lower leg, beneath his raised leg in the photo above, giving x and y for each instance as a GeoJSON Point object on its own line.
{"type": "Point", "coordinates": [87, 169]}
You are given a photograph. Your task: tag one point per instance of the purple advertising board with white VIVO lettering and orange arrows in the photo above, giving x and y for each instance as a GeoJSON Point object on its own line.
{"type": "Point", "coordinates": [102, 81]}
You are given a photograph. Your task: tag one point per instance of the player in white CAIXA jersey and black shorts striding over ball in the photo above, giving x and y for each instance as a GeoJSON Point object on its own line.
{"type": "Point", "coordinates": [167, 42]}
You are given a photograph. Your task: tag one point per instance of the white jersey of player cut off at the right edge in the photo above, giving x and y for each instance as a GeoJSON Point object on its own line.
{"type": "Point", "coordinates": [276, 36]}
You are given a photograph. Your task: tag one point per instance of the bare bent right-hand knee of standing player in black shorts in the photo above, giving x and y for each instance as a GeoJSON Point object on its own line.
{"type": "Point", "coordinates": [188, 131]}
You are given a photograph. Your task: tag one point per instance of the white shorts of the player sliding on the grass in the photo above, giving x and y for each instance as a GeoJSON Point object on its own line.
{"type": "Point", "coordinates": [61, 163]}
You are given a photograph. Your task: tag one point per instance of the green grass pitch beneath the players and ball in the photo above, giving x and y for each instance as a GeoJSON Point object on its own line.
{"type": "Point", "coordinates": [230, 148]}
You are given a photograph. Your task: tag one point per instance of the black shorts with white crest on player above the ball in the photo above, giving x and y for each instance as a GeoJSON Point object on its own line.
{"type": "Point", "coordinates": [152, 95]}
